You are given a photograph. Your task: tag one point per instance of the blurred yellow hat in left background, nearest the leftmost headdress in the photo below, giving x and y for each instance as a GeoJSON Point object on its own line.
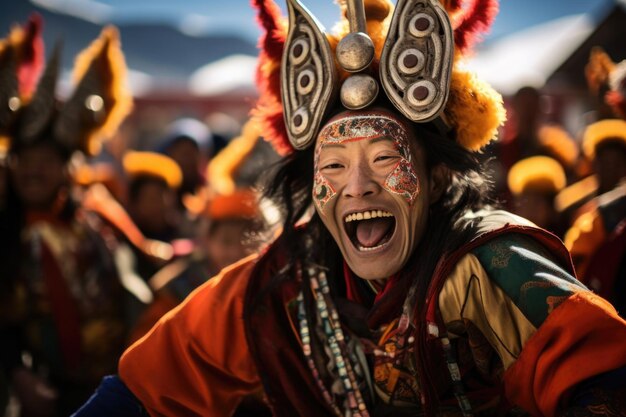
{"type": "Point", "coordinates": [153, 164]}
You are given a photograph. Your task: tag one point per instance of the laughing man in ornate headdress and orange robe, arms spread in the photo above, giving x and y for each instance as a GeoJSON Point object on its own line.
{"type": "Point", "coordinates": [403, 292]}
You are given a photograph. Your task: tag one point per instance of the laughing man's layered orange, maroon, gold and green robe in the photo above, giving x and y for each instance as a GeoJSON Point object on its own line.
{"type": "Point", "coordinates": [501, 340]}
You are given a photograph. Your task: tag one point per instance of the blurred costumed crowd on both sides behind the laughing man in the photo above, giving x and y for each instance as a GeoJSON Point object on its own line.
{"type": "Point", "coordinates": [97, 246]}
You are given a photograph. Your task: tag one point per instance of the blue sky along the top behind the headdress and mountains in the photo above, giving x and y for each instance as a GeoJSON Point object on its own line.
{"type": "Point", "coordinates": [236, 16]}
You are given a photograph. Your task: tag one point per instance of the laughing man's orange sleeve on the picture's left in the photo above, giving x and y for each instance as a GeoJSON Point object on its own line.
{"type": "Point", "coordinates": [195, 361]}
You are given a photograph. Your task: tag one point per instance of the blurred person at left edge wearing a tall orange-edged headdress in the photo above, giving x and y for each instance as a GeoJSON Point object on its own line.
{"type": "Point", "coordinates": [62, 323]}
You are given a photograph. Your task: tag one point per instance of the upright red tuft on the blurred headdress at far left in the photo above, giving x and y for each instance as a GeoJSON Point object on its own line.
{"type": "Point", "coordinates": [31, 56]}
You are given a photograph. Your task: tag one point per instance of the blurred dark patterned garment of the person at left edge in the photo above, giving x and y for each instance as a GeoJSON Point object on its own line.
{"type": "Point", "coordinates": [68, 301]}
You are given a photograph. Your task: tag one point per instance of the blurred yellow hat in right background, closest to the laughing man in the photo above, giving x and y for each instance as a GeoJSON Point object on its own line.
{"type": "Point", "coordinates": [537, 173]}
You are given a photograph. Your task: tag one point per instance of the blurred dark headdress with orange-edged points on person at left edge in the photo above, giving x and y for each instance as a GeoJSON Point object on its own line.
{"type": "Point", "coordinates": [29, 109]}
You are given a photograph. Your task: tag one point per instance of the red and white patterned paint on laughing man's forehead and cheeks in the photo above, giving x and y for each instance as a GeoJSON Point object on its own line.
{"type": "Point", "coordinates": [402, 180]}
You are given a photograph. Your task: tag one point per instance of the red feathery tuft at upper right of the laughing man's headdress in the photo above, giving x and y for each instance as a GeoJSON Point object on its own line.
{"type": "Point", "coordinates": [477, 21]}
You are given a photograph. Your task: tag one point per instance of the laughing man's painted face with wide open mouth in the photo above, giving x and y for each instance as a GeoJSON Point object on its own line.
{"type": "Point", "coordinates": [368, 172]}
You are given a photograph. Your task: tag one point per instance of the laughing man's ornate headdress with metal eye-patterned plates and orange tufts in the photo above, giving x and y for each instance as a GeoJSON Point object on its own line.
{"type": "Point", "coordinates": [414, 55]}
